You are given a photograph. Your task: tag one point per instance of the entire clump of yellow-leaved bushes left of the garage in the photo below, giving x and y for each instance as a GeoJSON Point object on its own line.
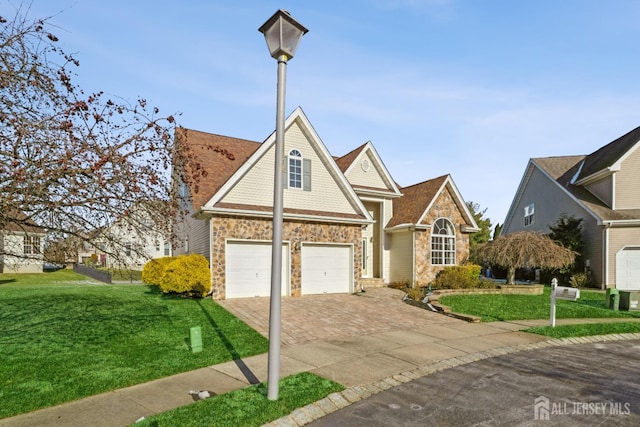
{"type": "Point", "coordinates": [185, 274]}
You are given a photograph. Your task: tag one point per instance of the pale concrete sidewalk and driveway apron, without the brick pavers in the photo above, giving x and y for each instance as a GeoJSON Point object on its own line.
{"type": "Point", "coordinates": [358, 362]}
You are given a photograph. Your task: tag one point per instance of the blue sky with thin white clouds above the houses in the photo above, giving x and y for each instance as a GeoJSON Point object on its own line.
{"type": "Point", "coordinates": [466, 87]}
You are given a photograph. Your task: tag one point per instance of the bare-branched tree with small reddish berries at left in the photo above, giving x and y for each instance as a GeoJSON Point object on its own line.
{"type": "Point", "coordinates": [73, 162]}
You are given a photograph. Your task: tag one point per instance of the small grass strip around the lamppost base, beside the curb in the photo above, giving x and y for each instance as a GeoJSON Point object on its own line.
{"type": "Point", "coordinates": [248, 406]}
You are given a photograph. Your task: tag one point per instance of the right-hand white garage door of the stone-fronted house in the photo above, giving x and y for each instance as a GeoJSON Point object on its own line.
{"type": "Point", "coordinates": [326, 269]}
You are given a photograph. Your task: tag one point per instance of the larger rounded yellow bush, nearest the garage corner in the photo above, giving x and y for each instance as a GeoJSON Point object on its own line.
{"type": "Point", "coordinates": [187, 274]}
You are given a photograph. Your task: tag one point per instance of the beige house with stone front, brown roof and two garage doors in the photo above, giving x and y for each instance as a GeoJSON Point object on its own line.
{"type": "Point", "coordinates": [347, 224]}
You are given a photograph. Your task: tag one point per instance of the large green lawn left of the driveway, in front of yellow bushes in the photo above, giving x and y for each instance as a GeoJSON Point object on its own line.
{"type": "Point", "coordinates": [64, 337]}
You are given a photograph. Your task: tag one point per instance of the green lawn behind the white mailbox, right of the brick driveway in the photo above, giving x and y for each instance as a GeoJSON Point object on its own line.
{"type": "Point", "coordinates": [519, 307]}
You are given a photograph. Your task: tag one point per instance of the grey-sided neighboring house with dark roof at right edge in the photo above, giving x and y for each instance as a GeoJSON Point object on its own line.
{"type": "Point", "coordinates": [602, 189]}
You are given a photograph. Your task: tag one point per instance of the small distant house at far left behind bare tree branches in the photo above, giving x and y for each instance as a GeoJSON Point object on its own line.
{"type": "Point", "coordinates": [21, 247]}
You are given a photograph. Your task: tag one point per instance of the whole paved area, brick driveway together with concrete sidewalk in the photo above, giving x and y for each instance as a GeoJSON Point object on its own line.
{"type": "Point", "coordinates": [367, 343]}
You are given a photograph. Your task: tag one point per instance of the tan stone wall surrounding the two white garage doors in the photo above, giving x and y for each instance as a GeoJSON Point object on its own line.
{"type": "Point", "coordinates": [295, 232]}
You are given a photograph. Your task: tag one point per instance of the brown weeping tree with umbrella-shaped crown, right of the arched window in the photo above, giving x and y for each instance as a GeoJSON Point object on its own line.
{"type": "Point", "coordinates": [526, 249]}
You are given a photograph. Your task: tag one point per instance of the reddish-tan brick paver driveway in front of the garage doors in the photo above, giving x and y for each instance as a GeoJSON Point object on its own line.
{"type": "Point", "coordinates": [317, 317]}
